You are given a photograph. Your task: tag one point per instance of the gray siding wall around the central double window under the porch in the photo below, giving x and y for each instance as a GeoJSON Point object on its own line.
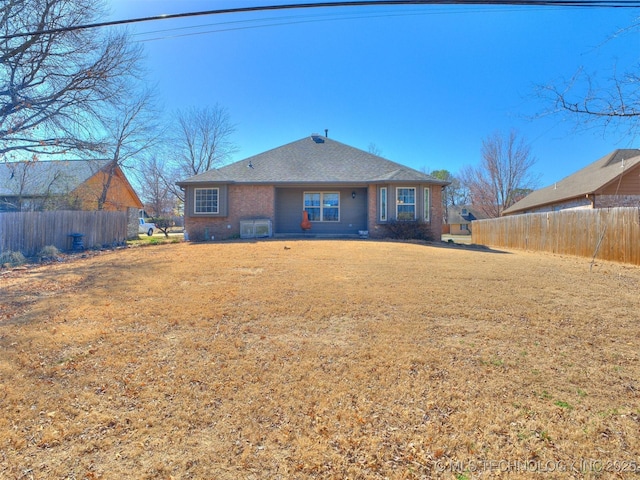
{"type": "Point", "coordinates": [290, 204]}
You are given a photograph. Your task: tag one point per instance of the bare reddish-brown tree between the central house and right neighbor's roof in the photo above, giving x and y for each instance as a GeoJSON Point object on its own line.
{"type": "Point", "coordinates": [504, 173]}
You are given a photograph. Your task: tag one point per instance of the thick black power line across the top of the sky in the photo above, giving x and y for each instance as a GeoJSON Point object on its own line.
{"type": "Point", "coordinates": [358, 3]}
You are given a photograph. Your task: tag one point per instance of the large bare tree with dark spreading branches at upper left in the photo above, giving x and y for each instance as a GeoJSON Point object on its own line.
{"type": "Point", "coordinates": [52, 85]}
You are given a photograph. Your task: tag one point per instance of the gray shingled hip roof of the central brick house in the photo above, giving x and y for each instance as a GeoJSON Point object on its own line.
{"type": "Point", "coordinates": [313, 159]}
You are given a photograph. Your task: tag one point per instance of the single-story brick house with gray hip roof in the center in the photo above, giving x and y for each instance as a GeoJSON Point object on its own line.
{"type": "Point", "coordinates": [343, 190]}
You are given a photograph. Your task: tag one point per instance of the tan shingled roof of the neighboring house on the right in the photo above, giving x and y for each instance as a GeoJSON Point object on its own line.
{"type": "Point", "coordinates": [589, 180]}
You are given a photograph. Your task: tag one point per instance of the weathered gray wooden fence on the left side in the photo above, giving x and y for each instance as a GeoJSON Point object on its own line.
{"type": "Point", "coordinates": [28, 232]}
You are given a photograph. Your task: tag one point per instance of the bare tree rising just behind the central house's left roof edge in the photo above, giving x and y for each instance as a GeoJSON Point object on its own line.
{"type": "Point", "coordinates": [202, 141]}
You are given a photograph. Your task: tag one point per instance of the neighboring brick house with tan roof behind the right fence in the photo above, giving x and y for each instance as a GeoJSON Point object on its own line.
{"type": "Point", "coordinates": [612, 181]}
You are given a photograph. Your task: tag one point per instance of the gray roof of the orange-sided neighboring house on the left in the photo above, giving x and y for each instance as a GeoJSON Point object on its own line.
{"type": "Point", "coordinates": [55, 177]}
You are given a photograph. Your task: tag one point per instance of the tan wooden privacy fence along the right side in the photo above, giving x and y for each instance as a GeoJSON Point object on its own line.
{"type": "Point", "coordinates": [608, 234]}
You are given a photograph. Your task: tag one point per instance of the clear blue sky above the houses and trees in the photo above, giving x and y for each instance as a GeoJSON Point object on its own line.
{"type": "Point", "coordinates": [425, 84]}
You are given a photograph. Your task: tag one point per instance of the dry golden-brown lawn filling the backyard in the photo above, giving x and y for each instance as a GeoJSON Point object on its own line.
{"type": "Point", "coordinates": [320, 359]}
